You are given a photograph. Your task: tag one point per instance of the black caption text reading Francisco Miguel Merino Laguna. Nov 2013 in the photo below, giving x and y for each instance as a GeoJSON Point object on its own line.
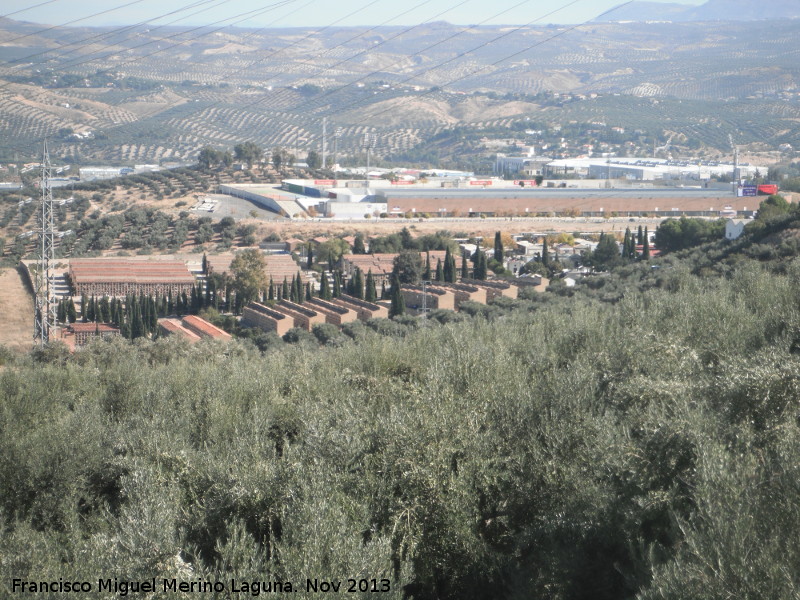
{"type": "Point", "coordinates": [251, 588]}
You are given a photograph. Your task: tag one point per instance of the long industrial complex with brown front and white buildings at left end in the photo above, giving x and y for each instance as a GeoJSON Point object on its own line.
{"type": "Point", "coordinates": [469, 197]}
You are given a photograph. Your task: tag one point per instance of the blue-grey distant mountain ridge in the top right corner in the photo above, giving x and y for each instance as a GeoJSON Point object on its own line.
{"type": "Point", "coordinates": [712, 10]}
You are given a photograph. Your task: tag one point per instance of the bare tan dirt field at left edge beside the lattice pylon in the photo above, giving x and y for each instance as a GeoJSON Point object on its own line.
{"type": "Point", "coordinates": [16, 312]}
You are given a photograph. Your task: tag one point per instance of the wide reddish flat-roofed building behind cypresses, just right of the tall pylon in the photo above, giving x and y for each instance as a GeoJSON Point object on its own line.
{"type": "Point", "coordinates": [120, 277]}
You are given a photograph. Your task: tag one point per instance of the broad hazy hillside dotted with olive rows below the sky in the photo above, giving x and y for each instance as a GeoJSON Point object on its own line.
{"type": "Point", "coordinates": [163, 94]}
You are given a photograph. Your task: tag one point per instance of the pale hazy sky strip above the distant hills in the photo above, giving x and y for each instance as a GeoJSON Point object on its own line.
{"type": "Point", "coordinates": [315, 13]}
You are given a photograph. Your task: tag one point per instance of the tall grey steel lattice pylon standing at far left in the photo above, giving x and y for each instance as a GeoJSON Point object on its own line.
{"type": "Point", "coordinates": [45, 307]}
